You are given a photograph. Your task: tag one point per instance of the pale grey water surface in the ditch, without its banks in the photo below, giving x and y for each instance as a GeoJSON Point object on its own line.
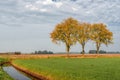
{"type": "Point", "coordinates": [15, 74]}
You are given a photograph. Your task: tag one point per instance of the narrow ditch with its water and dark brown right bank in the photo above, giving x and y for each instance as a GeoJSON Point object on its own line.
{"type": "Point", "coordinates": [19, 74]}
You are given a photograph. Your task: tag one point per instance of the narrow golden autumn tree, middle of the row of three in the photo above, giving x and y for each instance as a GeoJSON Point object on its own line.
{"type": "Point", "coordinates": [82, 35]}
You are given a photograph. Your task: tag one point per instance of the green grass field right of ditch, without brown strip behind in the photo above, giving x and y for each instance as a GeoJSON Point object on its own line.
{"type": "Point", "coordinates": [74, 68]}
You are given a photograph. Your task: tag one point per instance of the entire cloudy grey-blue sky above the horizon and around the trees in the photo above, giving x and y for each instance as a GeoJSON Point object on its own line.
{"type": "Point", "coordinates": [25, 25]}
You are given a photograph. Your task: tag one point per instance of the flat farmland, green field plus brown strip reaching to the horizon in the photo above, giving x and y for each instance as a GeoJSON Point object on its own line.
{"type": "Point", "coordinates": [76, 67]}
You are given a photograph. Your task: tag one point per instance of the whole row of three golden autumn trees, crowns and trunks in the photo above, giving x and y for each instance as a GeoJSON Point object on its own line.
{"type": "Point", "coordinates": [71, 31]}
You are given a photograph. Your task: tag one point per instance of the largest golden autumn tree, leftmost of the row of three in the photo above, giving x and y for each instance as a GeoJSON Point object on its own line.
{"type": "Point", "coordinates": [65, 32]}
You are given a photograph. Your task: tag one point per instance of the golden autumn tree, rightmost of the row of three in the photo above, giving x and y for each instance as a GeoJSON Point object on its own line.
{"type": "Point", "coordinates": [101, 35]}
